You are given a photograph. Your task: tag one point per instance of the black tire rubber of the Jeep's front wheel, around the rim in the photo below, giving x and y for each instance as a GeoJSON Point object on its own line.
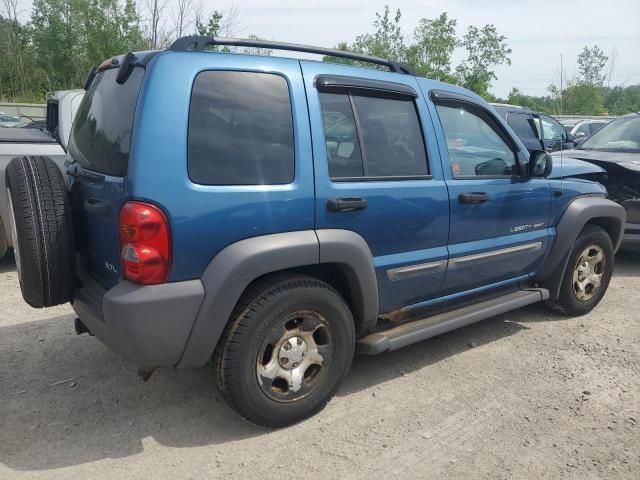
{"type": "Point", "coordinates": [568, 302]}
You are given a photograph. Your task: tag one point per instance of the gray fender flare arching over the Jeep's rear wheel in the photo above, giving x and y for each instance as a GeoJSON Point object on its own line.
{"type": "Point", "coordinates": [237, 265]}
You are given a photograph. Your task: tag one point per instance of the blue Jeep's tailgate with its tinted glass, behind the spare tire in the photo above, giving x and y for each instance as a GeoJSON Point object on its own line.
{"type": "Point", "coordinates": [99, 149]}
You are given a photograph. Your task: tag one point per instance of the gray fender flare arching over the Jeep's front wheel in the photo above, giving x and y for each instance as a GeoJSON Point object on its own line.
{"type": "Point", "coordinates": [578, 213]}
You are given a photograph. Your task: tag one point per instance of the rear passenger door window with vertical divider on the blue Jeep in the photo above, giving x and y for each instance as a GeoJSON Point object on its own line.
{"type": "Point", "coordinates": [369, 136]}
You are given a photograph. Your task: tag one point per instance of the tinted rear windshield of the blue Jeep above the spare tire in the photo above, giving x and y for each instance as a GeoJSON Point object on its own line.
{"type": "Point", "coordinates": [101, 136]}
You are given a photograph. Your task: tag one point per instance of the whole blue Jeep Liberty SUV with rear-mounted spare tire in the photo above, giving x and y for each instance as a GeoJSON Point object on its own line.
{"type": "Point", "coordinates": [293, 212]}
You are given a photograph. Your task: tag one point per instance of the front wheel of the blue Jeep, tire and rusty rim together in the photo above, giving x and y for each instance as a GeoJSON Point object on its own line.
{"type": "Point", "coordinates": [588, 273]}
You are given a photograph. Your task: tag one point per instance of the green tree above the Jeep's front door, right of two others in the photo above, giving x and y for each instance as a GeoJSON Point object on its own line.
{"type": "Point", "coordinates": [486, 49]}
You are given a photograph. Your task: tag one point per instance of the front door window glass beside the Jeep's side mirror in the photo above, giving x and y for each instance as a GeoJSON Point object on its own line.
{"type": "Point", "coordinates": [475, 147]}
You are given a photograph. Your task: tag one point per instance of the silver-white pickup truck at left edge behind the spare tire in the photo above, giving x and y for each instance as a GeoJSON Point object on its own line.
{"type": "Point", "coordinates": [36, 138]}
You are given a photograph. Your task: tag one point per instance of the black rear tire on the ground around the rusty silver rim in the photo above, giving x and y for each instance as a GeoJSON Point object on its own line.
{"type": "Point", "coordinates": [262, 311]}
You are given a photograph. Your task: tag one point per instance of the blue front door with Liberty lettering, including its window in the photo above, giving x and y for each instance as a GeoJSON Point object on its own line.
{"type": "Point", "coordinates": [499, 218]}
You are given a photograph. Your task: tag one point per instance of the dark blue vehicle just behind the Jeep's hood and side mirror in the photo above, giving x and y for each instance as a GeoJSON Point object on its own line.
{"type": "Point", "coordinates": [536, 130]}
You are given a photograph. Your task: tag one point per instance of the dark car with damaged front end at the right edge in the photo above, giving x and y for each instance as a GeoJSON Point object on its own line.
{"type": "Point", "coordinates": [616, 149]}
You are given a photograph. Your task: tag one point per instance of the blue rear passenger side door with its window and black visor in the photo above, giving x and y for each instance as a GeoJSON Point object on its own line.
{"type": "Point", "coordinates": [378, 173]}
